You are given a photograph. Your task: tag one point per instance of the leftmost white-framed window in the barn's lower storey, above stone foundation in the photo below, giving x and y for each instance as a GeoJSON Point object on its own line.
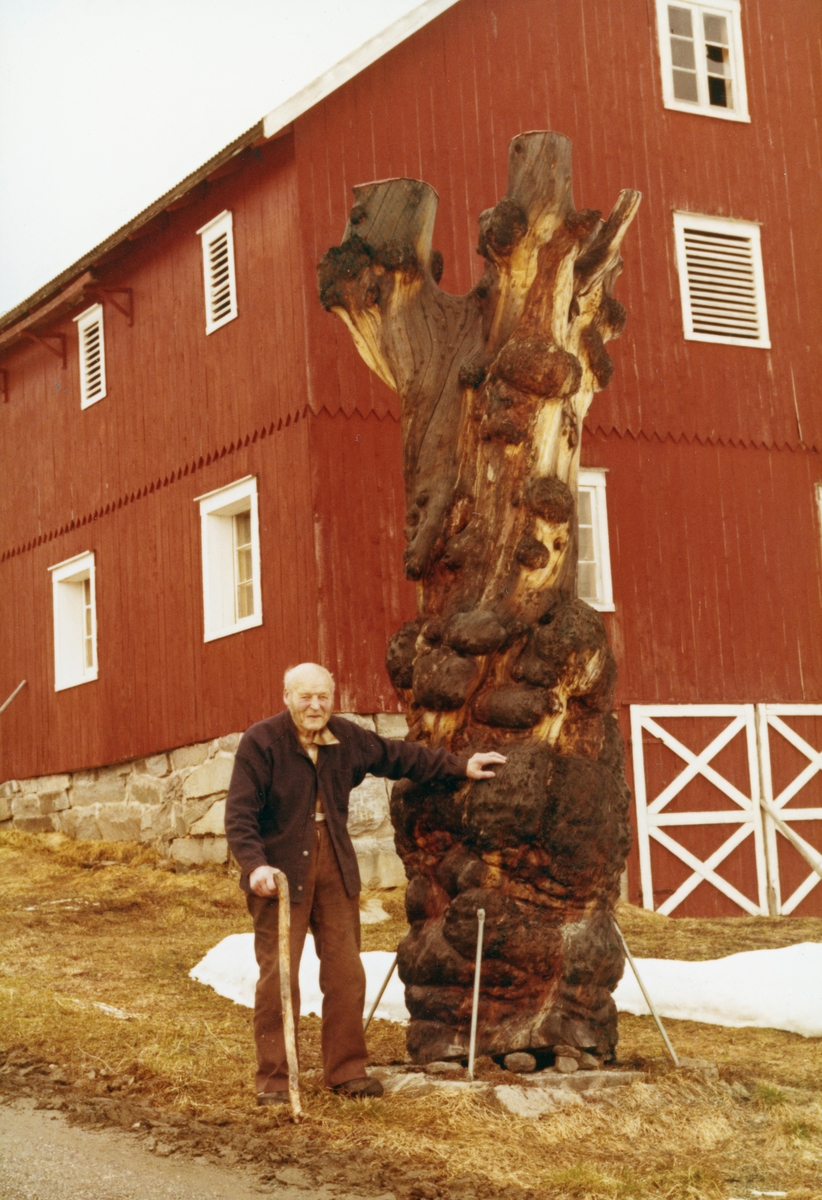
{"type": "Point", "coordinates": [69, 609]}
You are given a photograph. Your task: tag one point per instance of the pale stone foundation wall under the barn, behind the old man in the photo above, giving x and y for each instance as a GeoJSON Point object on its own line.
{"type": "Point", "coordinates": [177, 802]}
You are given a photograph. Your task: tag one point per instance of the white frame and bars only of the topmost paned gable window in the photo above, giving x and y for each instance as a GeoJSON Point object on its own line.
{"type": "Point", "coordinates": [731, 11]}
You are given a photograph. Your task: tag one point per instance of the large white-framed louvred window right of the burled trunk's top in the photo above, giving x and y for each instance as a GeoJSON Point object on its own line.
{"type": "Point", "coordinates": [721, 280]}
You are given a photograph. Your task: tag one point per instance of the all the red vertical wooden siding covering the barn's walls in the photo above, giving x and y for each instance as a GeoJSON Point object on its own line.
{"type": "Point", "coordinates": [715, 533]}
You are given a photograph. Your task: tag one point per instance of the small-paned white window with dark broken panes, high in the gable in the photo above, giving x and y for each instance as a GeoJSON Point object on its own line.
{"type": "Point", "coordinates": [700, 49]}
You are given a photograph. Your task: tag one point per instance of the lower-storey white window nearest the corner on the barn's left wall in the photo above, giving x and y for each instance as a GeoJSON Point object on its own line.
{"type": "Point", "coordinates": [232, 599]}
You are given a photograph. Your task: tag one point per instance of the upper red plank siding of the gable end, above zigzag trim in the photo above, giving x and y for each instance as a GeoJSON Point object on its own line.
{"type": "Point", "coordinates": [445, 106]}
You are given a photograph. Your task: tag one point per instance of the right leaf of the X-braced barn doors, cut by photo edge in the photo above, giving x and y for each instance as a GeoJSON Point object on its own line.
{"type": "Point", "coordinates": [793, 785]}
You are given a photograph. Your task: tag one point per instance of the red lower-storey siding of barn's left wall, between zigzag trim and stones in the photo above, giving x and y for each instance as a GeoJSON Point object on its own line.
{"type": "Point", "coordinates": [160, 686]}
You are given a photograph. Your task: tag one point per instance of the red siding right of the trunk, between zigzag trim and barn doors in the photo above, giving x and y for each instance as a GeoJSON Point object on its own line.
{"type": "Point", "coordinates": [716, 554]}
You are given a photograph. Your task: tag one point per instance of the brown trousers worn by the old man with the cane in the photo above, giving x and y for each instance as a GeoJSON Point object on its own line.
{"type": "Point", "coordinates": [334, 919]}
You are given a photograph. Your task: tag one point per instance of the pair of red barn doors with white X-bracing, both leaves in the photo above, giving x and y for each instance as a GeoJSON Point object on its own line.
{"type": "Point", "coordinates": [758, 758]}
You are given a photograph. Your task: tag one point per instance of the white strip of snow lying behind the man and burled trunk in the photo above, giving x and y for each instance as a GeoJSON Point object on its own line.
{"type": "Point", "coordinates": [770, 989]}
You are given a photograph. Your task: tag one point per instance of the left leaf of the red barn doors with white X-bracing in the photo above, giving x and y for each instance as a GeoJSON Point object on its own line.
{"type": "Point", "coordinates": [683, 811]}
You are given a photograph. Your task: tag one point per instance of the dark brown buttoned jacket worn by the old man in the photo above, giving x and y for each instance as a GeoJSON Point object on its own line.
{"type": "Point", "coordinates": [273, 795]}
